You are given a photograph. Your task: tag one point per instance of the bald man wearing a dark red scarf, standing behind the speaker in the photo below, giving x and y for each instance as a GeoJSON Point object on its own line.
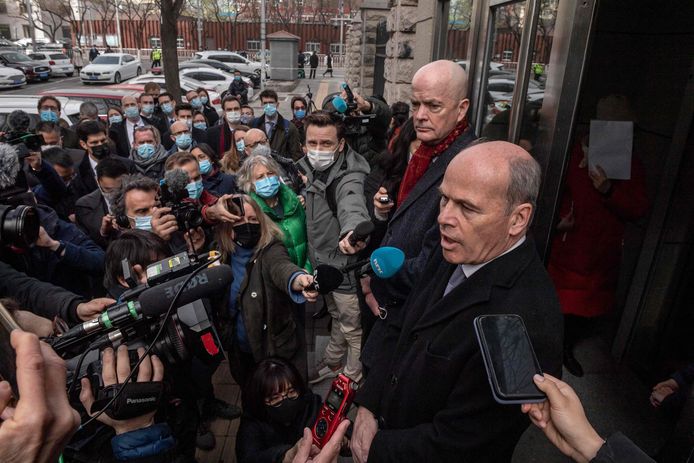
{"type": "Point", "coordinates": [439, 110]}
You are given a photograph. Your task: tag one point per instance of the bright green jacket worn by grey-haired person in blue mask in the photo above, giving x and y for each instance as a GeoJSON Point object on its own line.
{"type": "Point", "coordinates": [293, 225]}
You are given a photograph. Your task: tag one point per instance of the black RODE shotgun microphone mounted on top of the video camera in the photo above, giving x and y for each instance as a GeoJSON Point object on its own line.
{"type": "Point", "coordinates": [155, 301]}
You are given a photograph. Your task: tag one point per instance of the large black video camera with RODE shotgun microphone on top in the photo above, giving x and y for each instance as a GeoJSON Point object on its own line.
{"type": "Point", "coordinates": [141, 321]}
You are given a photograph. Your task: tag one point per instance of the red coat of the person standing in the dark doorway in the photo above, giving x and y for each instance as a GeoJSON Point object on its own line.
{"type": "Point", "coordinates": [584, 261]}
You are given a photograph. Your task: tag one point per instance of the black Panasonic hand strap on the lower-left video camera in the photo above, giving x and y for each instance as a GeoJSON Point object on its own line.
{"type": "Point", "coordinates": [136, 399]}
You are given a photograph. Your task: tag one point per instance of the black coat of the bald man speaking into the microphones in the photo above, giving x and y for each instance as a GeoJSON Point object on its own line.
{"type": "Point", "coordinates": [428, 385]}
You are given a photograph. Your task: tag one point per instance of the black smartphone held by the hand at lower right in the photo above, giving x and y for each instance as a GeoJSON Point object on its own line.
{"type": "Point", "coordinates": [509, 358]}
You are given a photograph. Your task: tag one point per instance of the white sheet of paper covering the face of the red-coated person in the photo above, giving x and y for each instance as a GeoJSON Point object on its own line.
{"type": "Point", "coordinates": [610, 146]}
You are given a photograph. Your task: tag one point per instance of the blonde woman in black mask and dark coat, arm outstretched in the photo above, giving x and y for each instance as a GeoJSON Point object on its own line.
{"type": "Point", "coordinates": [258, 317]}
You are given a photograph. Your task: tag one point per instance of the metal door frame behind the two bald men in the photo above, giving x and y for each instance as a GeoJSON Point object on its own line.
{"type": "Point", "coordinates": [570, 51]}
